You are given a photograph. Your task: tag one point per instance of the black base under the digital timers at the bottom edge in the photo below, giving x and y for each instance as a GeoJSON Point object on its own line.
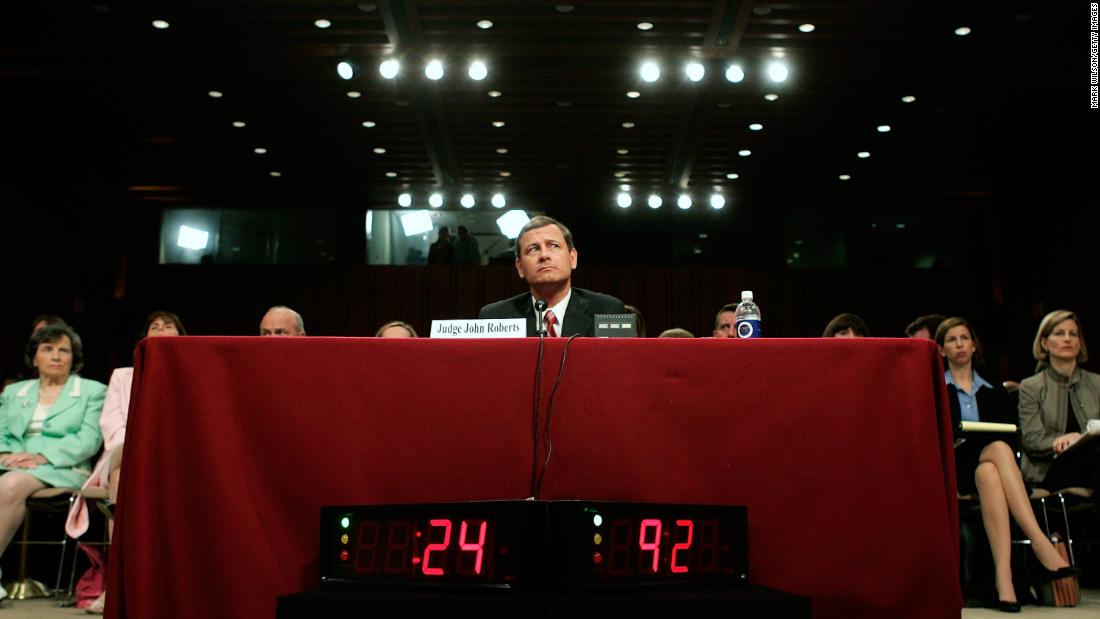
{"type": "Point", "coordinates": [744, 603]}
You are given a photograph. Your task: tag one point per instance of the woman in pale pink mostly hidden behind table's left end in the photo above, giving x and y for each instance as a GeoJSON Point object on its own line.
{"type": "Point", "coordinates": [113, 425]}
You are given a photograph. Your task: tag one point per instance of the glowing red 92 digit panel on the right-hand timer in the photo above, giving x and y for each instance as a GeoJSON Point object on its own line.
{"type": "Point", "coordinates": [651, 546]}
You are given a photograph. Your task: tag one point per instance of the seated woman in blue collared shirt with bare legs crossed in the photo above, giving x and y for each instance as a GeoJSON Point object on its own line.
{"type": "Point", "coordinates": [988, 466]}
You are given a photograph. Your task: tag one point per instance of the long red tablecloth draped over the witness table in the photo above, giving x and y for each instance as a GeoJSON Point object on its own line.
{"type": "Point", "coordinates": [841, 449]}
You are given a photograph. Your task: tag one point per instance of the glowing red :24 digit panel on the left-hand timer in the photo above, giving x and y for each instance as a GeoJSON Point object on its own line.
{"type": "Point", "coordinates": [400, 548]}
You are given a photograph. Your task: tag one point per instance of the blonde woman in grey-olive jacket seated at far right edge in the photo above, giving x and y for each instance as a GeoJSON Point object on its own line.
{"type": "Point", "coordinates": [1055, 407]}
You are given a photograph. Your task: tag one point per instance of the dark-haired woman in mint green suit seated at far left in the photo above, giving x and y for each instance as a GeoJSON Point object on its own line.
{"type": "Point", "coordinates": [49, 426]}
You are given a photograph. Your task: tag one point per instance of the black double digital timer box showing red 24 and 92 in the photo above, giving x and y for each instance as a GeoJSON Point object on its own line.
{"type": "Point", "coordinates": [532, 545]}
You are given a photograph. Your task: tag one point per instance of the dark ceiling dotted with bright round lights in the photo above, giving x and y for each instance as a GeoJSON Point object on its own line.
{"type": "Point", "coordinates": [103, 101]}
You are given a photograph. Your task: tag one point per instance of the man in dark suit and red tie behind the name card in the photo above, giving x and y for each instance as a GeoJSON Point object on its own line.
{"type": "Point", "coordinates": [546, 259]}
